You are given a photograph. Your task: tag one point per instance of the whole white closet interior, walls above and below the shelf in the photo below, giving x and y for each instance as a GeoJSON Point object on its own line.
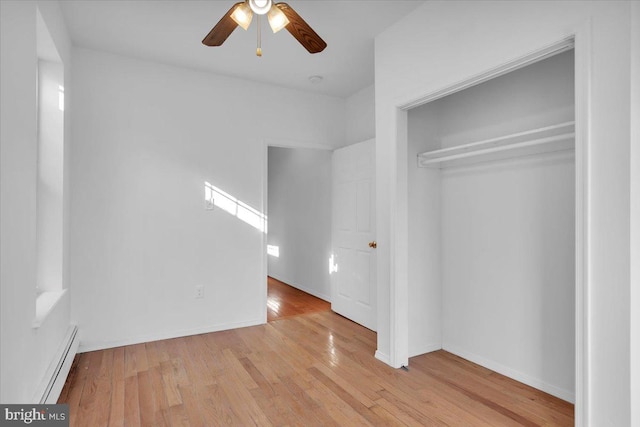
{"type": "Point", "coordinates": [492, 243]}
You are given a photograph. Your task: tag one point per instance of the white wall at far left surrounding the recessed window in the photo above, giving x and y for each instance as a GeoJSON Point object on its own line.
{"type": "Point", "coordinates": [25, 352]}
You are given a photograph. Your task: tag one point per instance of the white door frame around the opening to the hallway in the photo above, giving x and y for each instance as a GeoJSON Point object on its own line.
{"type": "Point", "coordinates": [282, 143]}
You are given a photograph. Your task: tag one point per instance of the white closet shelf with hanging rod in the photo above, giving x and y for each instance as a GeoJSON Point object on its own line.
{"type": "Point", "coordinates": [535, 141]}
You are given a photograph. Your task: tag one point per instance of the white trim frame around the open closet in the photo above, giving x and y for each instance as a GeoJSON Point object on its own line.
{"type": "Point", "coordinates": [580, 41]}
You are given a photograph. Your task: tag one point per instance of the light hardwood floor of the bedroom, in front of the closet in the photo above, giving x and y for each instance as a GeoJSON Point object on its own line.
{"type": "Point", "coordinates": [313, 369]}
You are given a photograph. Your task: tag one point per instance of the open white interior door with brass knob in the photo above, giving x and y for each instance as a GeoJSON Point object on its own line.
{"type": "Point", "coordinates": [353, 278]}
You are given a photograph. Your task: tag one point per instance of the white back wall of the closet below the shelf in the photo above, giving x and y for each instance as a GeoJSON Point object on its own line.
{"type": "Point", "coordinates": [508, 269]}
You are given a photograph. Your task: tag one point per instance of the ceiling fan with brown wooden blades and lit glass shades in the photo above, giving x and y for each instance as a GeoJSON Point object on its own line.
{"type": "Point", "coordinates": [279, 15]}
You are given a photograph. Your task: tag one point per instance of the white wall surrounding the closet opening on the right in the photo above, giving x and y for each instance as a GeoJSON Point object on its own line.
{"type": "Point", "coordinates": [436, 47]}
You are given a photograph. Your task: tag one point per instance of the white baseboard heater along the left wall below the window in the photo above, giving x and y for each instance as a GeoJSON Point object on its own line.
{"type": "Point", "coordinates": [56, 375]}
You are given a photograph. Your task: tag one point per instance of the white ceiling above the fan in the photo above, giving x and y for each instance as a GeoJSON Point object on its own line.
{"type": "Point", "coordinates": [172, 31]}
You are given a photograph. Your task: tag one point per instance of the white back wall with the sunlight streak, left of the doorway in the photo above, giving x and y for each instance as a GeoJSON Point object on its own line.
{"type": "Point", "coordinates": [146, 138]}
